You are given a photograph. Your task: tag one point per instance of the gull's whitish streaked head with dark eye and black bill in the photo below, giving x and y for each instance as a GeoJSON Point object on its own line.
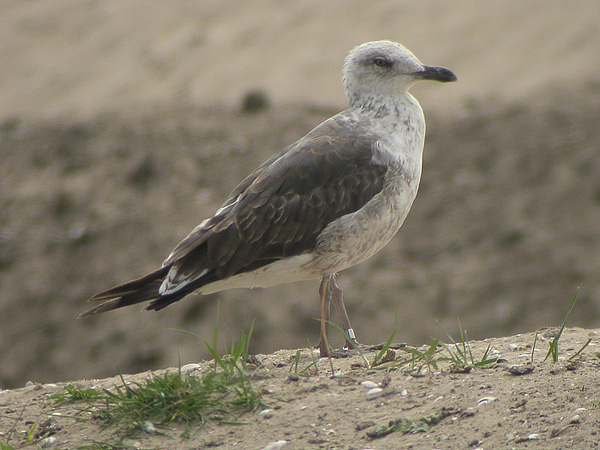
{"type": "Point", "coordinates": [383, 69]}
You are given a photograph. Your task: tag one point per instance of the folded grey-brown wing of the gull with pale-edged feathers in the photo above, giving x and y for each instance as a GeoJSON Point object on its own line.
{"type": "Point", "coordinates": [280, 209]}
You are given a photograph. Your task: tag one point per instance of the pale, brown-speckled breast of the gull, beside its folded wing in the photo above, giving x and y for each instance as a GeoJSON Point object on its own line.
{"type": "Point", "coordinates": [355, 237]}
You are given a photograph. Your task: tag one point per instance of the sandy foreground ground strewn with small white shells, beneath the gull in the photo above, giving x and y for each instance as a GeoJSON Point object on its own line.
{"type": "Point", "coordinates": [511, 404]}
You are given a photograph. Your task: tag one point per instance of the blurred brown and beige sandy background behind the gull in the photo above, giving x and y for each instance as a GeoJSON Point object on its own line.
{"type": "Point", "coordinates": [124, 124]}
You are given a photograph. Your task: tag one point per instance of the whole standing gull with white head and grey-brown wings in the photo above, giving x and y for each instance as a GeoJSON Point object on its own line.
{"type": "Point", "coordinates": [327, 202]}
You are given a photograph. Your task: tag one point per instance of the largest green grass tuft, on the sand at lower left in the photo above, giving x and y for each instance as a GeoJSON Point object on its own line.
{"type": "Point", "coordinates": [222, 395]}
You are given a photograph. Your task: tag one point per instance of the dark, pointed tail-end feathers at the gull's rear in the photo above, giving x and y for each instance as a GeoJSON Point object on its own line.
{"type": "Point", "coordinates": [137, 291]}
